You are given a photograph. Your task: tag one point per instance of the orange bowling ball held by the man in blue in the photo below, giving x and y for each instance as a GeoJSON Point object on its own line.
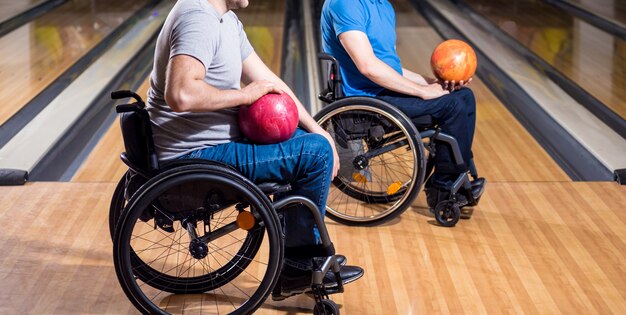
{"type": "Point", "coordinates": [453, 60]}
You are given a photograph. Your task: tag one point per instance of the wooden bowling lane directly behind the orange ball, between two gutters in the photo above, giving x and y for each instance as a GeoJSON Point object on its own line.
{"type": "Point", "coordinates": [503, 149]}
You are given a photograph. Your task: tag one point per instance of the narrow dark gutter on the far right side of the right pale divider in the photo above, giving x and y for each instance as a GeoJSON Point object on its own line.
{"type": "Point", "coordinates": [595, 106]}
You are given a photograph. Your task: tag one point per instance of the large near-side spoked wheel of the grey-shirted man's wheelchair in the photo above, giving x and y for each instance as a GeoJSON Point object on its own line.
{"type": "Point", "coordinates": [151, 263]}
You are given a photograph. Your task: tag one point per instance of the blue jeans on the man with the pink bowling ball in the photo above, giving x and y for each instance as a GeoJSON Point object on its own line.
{"type": "Point", "coordinates": [305, 161]}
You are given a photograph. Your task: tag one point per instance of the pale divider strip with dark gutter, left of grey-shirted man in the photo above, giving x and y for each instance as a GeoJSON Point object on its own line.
{"type": "Point", "coordinates": [44, 141]}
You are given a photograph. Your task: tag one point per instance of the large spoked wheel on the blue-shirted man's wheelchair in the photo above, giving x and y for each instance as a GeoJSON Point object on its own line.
{"type": "Point", "coordinates": [382, 157]}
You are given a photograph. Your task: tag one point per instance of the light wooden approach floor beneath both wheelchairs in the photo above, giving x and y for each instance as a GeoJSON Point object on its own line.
{"type": "Point", "coordinates": [530, 248]}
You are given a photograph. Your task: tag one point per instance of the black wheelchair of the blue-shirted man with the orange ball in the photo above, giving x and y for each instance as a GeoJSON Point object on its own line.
{"type": "Point", "coordinates": [385, 157]}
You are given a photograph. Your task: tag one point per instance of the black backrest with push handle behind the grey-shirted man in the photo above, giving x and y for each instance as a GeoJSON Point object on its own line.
{"type": "Point", "coordinates": [140, 153]}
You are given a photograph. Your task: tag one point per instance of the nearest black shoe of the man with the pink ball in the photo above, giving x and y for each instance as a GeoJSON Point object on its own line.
{"type": "Point", "coordinates": [293, 281]}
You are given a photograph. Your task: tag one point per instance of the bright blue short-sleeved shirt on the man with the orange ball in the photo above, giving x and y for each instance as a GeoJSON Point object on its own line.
{"type": "Point", "coordinates": [375, 18]}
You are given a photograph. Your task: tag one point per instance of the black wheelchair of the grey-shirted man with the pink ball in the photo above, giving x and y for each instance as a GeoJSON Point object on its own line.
{"type": "Point", "coordinates": [195, 236]}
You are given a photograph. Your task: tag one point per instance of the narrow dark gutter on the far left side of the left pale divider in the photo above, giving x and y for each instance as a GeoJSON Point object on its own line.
{"type": "Point", "coordinates": [18, 121]}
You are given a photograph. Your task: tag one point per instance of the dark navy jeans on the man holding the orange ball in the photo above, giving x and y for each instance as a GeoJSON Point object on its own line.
{"type": "Point", "coordinates": [456, 114]}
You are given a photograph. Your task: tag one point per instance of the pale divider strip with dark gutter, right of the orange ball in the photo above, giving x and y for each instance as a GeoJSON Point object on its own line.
{"type": "Point", "coordinates": [584, 147]}
